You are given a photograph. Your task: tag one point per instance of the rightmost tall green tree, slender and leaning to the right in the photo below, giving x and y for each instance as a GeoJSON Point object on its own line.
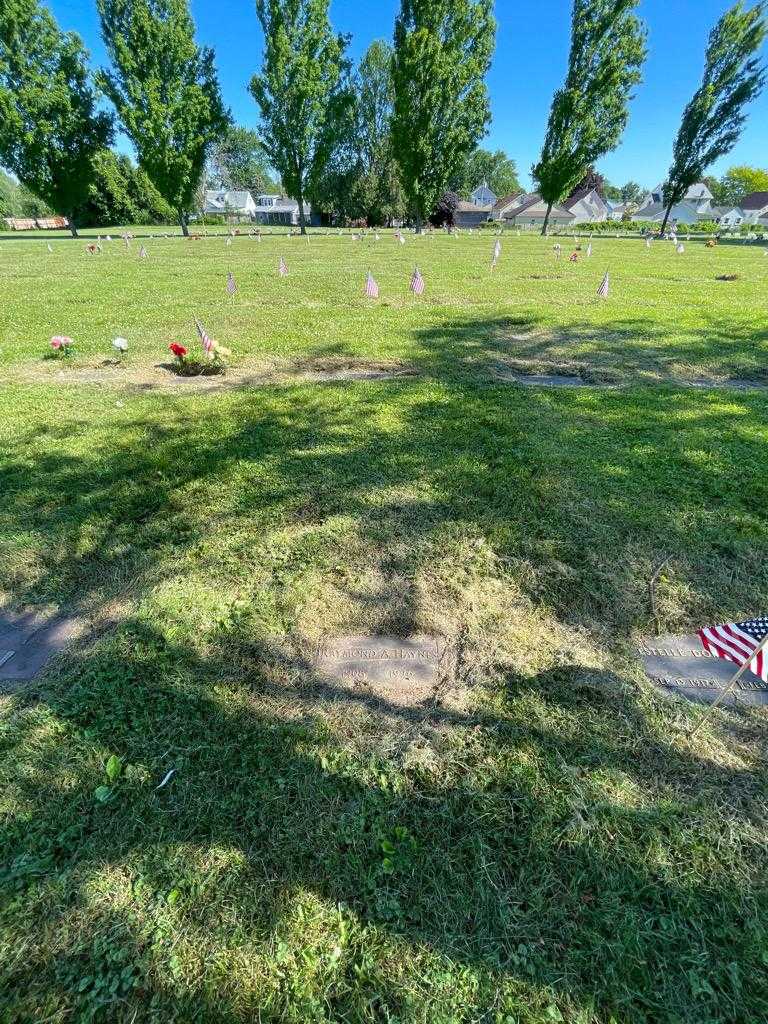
{"type": "Point", "coordinates": [714, 118]}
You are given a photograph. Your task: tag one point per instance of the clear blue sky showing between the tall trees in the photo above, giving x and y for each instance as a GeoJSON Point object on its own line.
{"type": "Point", "coordinates": [530, 64]}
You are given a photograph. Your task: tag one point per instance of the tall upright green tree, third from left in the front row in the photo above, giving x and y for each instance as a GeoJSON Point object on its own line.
{"type": "Point", "coordinates": [303, 92]}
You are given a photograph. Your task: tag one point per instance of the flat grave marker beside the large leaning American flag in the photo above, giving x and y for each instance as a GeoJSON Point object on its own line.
{"type": "Point", "coordinates": [679, 665]}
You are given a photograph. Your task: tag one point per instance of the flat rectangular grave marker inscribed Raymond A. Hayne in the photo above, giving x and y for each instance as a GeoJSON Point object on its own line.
{"type": "Point", "coordinates": [401, 672]}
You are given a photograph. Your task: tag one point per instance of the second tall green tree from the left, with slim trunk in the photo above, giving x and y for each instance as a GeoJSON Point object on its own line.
{"type": "Point", "coordinates": [165, 90]}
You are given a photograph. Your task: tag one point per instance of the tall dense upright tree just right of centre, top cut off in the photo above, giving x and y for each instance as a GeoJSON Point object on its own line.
{"type": "Point", "coordinates": [443, 51]}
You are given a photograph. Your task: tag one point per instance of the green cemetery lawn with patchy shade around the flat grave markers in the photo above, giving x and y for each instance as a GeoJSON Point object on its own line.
{"type": "Point", "coordinates": [546, 842]}
